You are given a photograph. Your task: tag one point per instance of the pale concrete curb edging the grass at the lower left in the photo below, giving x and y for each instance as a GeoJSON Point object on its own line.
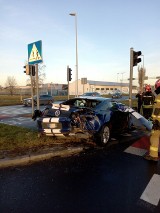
{"type": "Point", "coordinates": [28, 159]}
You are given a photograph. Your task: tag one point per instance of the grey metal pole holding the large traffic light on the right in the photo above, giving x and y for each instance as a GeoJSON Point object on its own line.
{"type": "Point", "coordinates": [131, 77]}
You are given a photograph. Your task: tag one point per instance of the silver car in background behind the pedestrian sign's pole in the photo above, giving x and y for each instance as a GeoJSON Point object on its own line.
{"type": "Point", "coordinates": [43, 100]}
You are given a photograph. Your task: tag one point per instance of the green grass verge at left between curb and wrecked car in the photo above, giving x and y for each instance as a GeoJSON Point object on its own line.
{"type": "Point", "coordinates": [19, 141]}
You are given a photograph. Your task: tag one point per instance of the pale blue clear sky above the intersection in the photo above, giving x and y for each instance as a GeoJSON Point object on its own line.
{"type": "Point", "coordinates": [106, 30]}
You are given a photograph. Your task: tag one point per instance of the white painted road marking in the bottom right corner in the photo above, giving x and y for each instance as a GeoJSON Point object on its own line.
{"type": "Point", "coordinates": [151, 193]}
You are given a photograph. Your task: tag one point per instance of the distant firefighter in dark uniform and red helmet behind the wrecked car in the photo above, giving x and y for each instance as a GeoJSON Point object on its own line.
{"type": "Point", "coordinates": [147, 102]}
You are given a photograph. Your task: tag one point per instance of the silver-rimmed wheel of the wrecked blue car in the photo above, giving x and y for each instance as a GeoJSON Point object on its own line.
{"type": "Point", "coordinates": [104, 135]}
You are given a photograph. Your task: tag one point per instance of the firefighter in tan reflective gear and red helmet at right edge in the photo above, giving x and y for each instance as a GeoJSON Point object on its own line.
{"type": "Point", "coordinates": [155, 132]}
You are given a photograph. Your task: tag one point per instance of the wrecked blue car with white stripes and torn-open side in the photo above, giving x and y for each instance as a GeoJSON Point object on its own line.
{"type": "Point", "coordinates": [98, 118]}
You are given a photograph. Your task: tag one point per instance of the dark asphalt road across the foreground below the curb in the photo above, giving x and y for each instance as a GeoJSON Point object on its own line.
{"type": "Point", "coordinates": [114, 179]}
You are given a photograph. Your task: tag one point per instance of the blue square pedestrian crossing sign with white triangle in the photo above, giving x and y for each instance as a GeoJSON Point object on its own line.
{"type": "Point", "coordinates": [35, 52]}
